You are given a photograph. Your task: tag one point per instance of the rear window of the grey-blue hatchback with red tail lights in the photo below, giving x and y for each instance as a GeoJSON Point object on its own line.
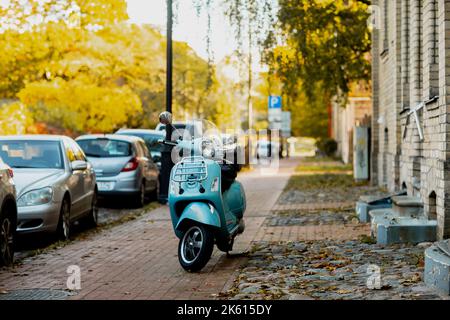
{"type": "Point", "coordinates": [105, 148]}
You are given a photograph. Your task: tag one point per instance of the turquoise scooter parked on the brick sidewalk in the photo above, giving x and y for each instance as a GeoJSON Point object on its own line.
{"type": "Point", "coordinates": [206, 202]}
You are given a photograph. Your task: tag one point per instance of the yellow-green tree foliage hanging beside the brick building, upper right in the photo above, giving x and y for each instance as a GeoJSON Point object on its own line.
{"type": "Point", "coordinates": [327, 44]}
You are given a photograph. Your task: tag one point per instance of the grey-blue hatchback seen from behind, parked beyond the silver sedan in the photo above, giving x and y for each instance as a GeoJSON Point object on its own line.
{"type": "Point", "coordinates": [123, 166]}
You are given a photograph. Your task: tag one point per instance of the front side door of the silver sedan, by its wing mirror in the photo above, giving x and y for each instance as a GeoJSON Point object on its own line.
{"type": "Point", "coordinates": [75, 182]}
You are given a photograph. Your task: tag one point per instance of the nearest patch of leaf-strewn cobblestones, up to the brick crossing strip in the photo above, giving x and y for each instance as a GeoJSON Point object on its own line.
{"type": "Point", "coordinates": [332, 270]}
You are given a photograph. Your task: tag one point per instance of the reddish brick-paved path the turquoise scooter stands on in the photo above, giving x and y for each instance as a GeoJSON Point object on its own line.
{"type": "Point", "coordinates": [137, 260]}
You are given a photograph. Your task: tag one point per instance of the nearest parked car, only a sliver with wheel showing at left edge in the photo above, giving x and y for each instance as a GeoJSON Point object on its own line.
{"type": "Point", "coordinates": [8, 215]}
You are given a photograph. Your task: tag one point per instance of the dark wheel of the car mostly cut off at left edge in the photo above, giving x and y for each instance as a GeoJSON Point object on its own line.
{"type": "Point", "coordinates": [7, 237]}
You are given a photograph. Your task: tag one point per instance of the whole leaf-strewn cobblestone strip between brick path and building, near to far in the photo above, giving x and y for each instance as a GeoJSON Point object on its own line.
{"type": "Point", "coordinates": [313, 247]}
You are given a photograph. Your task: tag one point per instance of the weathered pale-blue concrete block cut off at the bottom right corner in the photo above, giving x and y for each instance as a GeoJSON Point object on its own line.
{"type": "Point", "coordinates": [437, 268]}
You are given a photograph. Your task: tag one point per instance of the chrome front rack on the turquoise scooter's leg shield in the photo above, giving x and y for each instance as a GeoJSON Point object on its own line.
{"type": "Point", "coordinates": [191, 169]}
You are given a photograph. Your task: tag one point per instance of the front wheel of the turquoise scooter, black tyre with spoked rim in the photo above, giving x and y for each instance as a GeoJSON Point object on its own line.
{"type": "Point", "coordinates": [195, 248]}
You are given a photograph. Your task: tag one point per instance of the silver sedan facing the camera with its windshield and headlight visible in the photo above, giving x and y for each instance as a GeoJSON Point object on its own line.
{"type": "Point", "coordinates": [55, 184]}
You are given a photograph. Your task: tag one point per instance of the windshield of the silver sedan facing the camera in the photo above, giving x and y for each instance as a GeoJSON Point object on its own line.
{"type": "Point", "coordinates": [22, 154]}
